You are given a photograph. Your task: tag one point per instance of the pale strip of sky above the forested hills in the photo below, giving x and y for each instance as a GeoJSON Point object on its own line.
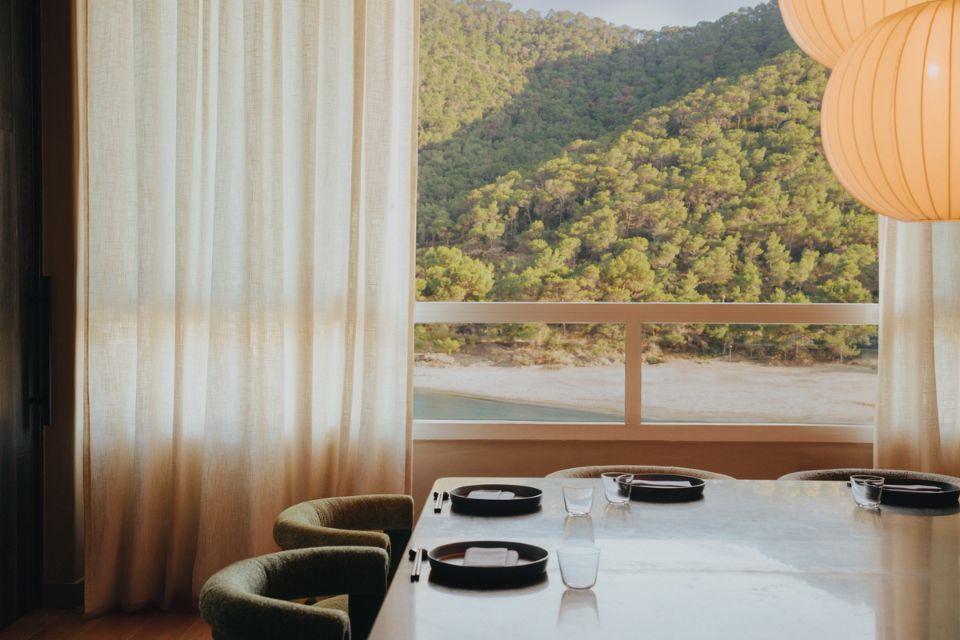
{"type": "Point", "coordinates": [642, 14]}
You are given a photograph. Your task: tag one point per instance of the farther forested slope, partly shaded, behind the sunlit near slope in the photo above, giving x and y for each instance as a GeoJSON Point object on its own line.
{"type": "Point", "coordinates": [503, 90]}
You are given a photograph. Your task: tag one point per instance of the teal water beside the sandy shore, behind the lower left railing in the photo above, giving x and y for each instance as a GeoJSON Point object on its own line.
{"type": "Point", "coordinates": [438, 405]}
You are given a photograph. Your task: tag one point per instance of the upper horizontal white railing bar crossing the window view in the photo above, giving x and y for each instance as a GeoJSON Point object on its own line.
{"type": "Point", "coordinates": [648, 312]}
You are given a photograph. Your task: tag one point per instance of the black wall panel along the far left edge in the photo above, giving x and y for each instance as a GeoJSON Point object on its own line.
{"type": "Point", "coordinates": [20, 467]}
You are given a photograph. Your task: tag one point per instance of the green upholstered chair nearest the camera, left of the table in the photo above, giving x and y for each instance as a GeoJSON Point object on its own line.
{"type": "Point", "coordinates": [251, 599]}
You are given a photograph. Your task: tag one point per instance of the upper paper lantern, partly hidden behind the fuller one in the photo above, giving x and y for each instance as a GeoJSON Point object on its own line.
{"type": "Point", "coordinates": [825, 29]}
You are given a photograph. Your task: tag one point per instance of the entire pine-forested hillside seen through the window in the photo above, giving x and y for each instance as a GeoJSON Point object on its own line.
{"type": "Point", "coordinates": [566, 159]}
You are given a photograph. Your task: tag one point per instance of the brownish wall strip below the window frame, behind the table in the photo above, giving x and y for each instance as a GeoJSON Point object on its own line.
{"type": "Point", "coordinates": [434, 459]}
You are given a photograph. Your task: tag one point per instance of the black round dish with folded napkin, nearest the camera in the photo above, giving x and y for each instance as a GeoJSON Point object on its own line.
{"type": "Point", "coordinates": [446, 566]}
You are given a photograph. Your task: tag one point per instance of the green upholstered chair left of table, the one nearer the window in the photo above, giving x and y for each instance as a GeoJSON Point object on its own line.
{"type": "Point", "coordinates": [383, 521]}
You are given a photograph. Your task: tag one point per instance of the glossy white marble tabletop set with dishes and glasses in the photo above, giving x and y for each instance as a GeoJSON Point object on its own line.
{"type": "Point", "coordinates": [753, 559]}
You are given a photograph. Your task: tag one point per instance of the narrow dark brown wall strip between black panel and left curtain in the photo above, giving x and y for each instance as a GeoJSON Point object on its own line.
{"type": "Point", "coordinates": [62, 447]}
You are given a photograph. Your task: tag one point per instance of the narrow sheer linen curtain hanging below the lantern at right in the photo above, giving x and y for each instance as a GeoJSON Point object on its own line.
{"type": "Point", "coordinates": [918, 410]}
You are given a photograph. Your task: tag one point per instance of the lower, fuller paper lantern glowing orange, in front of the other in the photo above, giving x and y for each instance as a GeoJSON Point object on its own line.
{"type": "Point", "coordinates": [891, 114]}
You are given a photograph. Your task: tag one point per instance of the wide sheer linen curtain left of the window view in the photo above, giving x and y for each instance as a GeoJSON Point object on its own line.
{"type": "Point", "coordinates": [246, 181]}
